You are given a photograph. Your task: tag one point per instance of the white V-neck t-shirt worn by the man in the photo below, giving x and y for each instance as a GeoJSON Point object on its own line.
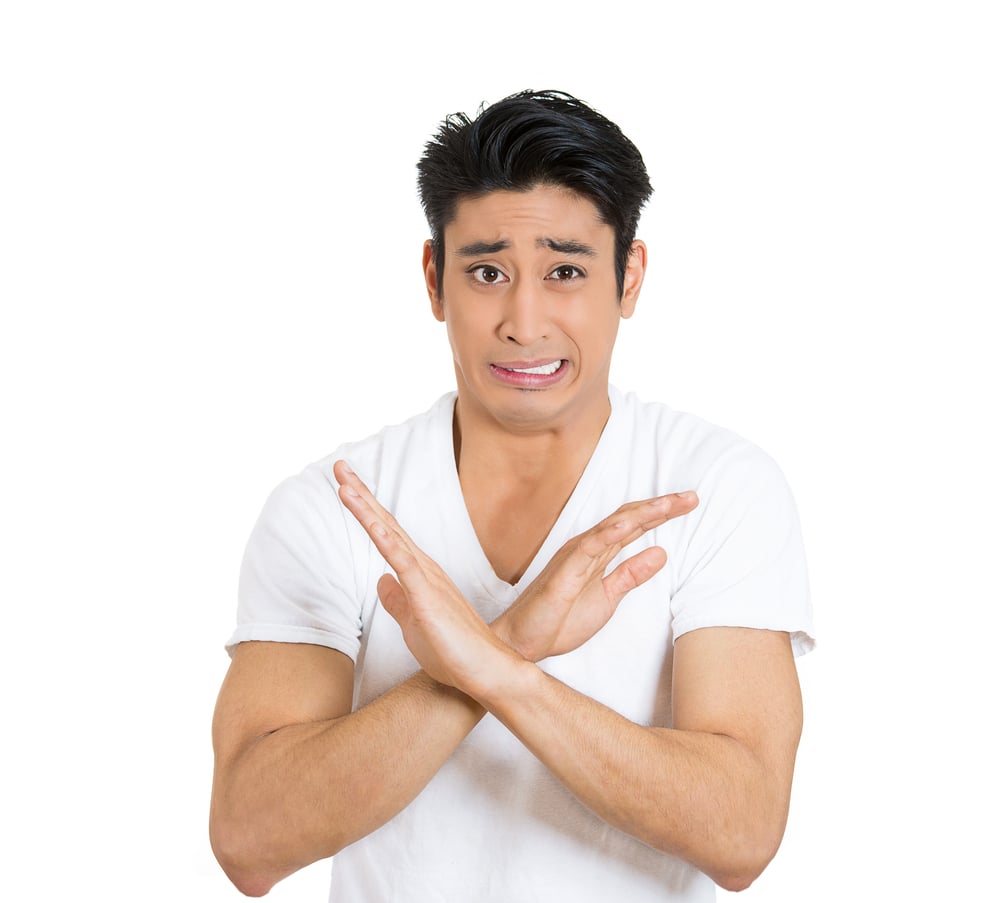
{"type": "Point", "coordinates": [493, 824]}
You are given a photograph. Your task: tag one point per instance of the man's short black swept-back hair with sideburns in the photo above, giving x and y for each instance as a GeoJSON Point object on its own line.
{"type": "Point", "coordinates": [529, 139]}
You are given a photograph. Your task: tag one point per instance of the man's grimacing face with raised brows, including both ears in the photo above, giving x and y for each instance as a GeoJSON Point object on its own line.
{"type": "Point", "coordinates": [531, 303]}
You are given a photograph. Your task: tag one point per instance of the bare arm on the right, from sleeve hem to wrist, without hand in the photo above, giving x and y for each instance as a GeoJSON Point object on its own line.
{"type": "Point", "coordinates": [715, 789]}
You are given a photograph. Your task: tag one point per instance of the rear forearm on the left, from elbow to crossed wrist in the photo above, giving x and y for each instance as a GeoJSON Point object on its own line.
{"type": "Point", "coordinates": [305, 791]}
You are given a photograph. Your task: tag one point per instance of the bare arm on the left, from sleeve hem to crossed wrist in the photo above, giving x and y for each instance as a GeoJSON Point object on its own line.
{"type": "Point", "coordinates": [298, 776]}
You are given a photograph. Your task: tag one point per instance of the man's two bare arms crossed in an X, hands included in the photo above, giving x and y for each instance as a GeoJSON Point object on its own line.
{"type": "Point", "coordinates": [298, 776]}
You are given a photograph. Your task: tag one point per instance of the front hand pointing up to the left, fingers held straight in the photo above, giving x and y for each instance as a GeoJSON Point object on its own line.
{"type": "Point", "coordinates": [445, 634]}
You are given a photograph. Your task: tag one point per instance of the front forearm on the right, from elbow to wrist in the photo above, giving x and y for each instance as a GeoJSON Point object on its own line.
{"type": "Point", "coordinates": [703, 797]}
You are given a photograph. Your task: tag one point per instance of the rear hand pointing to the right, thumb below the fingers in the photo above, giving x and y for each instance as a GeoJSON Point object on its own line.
{"type": "Point", "coordinates": [572, 599]}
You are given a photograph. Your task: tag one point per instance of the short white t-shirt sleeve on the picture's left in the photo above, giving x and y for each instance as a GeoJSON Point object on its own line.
{"type": "Point", "coordinates": [298, 581]}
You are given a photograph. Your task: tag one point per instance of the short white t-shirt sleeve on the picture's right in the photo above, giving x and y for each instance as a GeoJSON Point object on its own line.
{"type": "Point", "coordinates": [744, 564]}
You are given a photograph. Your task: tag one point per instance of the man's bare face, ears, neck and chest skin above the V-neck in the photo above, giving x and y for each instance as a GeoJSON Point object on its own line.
{"type": "Point", "coordinates": [529, 279]}
